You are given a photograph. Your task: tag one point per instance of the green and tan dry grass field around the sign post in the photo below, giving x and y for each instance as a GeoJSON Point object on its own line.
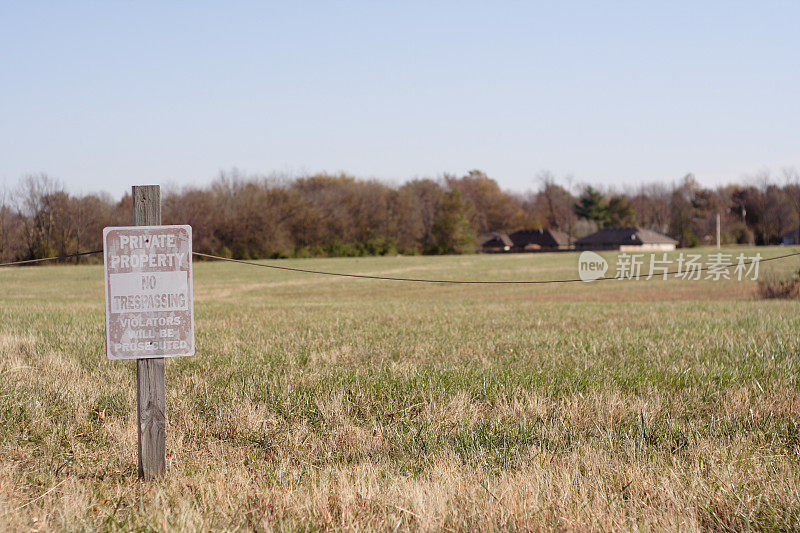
{"type": "Point", "coordinates": [319, 403]}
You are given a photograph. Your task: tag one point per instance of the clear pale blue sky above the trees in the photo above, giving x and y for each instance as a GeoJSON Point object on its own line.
{"type": "Point", "coordinates": [107, 94]}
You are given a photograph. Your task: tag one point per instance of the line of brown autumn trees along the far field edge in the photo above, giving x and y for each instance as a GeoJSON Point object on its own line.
{"type": "Point", "coordinates": [251, 217]}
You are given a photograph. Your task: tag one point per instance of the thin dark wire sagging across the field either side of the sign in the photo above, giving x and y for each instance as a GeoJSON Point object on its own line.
{"type": "Point", "coordinates": [660, 275]}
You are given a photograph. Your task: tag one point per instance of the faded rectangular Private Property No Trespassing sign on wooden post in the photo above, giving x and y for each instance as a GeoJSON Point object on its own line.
{"type": "Point", "coordinates": [149, 300]}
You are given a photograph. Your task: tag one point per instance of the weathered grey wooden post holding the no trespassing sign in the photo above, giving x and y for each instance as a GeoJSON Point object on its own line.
{"type": "Point", "coordinates": [150, 393]}
